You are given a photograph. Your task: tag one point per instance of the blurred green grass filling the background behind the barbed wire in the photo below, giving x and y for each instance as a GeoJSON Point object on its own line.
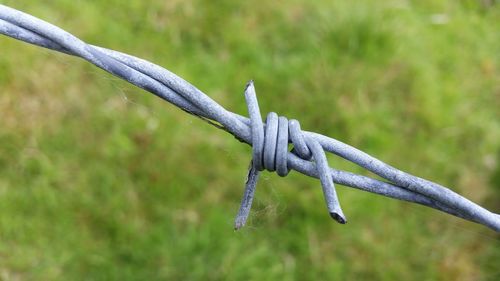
{"type": "Point", "coordinates": [101, 181]}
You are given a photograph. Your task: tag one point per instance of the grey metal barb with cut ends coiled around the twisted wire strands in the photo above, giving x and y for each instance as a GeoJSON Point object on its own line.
{"type": "Point", "coordinates": [270, 152]}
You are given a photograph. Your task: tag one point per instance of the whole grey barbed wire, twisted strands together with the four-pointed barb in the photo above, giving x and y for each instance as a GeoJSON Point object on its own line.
{"type": "Point", "coordinates": [270, 147]}
